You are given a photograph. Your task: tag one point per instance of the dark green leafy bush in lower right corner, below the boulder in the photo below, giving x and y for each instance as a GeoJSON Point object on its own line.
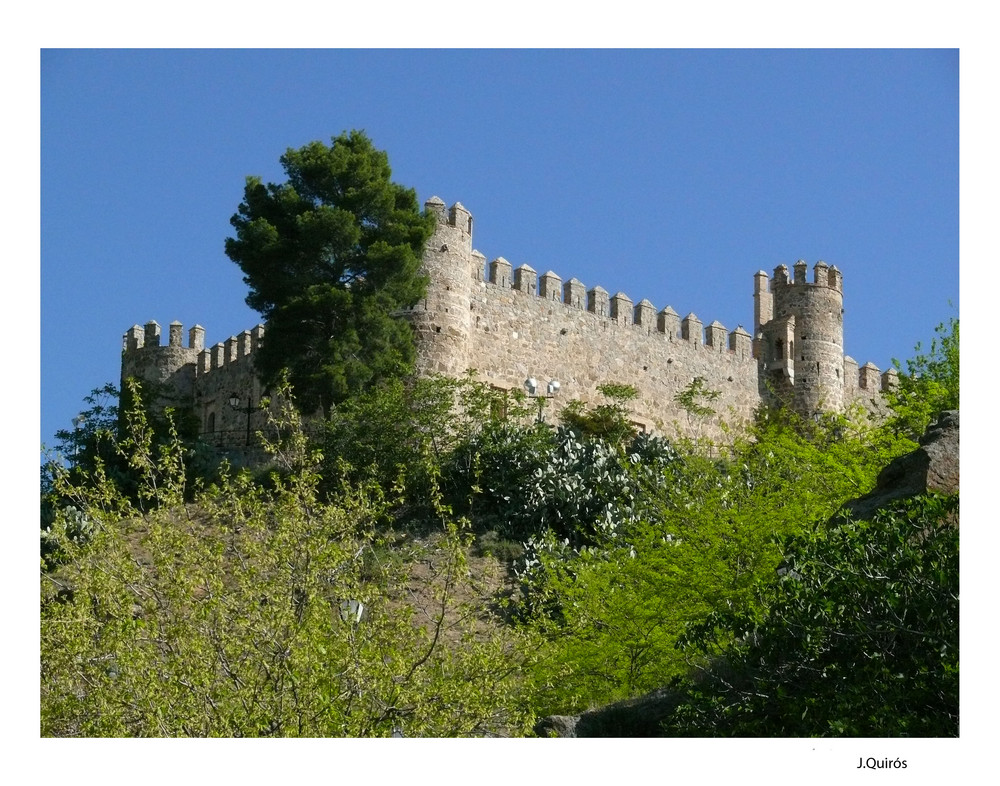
{"type": "Point", "coordinates": [859, 637]}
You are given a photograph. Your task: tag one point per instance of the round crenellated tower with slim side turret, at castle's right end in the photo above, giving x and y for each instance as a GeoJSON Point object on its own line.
{"type": "Point", "coordinates": [802, 339]}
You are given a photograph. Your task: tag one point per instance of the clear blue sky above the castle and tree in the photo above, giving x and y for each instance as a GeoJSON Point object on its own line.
{"type": "Point", "coordinates": [672, 175]}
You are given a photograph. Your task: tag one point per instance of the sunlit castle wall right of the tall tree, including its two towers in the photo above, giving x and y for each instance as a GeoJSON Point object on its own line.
{"type": "Point", "coordinates": [510, 324]}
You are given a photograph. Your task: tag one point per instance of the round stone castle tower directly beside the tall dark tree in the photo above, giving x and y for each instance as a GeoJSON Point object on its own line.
{"type": "Point", "coordinates": [443, 320]}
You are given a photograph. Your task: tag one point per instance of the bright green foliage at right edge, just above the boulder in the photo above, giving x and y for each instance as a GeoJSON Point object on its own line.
{"type": "Point", "coordinates": [930, 383]}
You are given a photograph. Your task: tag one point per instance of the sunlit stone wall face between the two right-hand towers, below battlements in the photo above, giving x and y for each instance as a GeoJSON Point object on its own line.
{"type": "Point", "coordinates": [516, 335]}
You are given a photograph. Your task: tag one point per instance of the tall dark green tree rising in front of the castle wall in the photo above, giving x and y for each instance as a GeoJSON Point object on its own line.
{"type": "Point", "coordinates": [330, 257]}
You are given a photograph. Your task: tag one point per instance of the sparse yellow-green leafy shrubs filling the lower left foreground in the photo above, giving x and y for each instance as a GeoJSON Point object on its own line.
{"type": "Point", "coordinates": [224, 618]}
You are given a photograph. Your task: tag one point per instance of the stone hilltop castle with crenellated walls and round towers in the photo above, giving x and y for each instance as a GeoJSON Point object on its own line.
{"type": "Point", "coordinates": [517, 329]}
